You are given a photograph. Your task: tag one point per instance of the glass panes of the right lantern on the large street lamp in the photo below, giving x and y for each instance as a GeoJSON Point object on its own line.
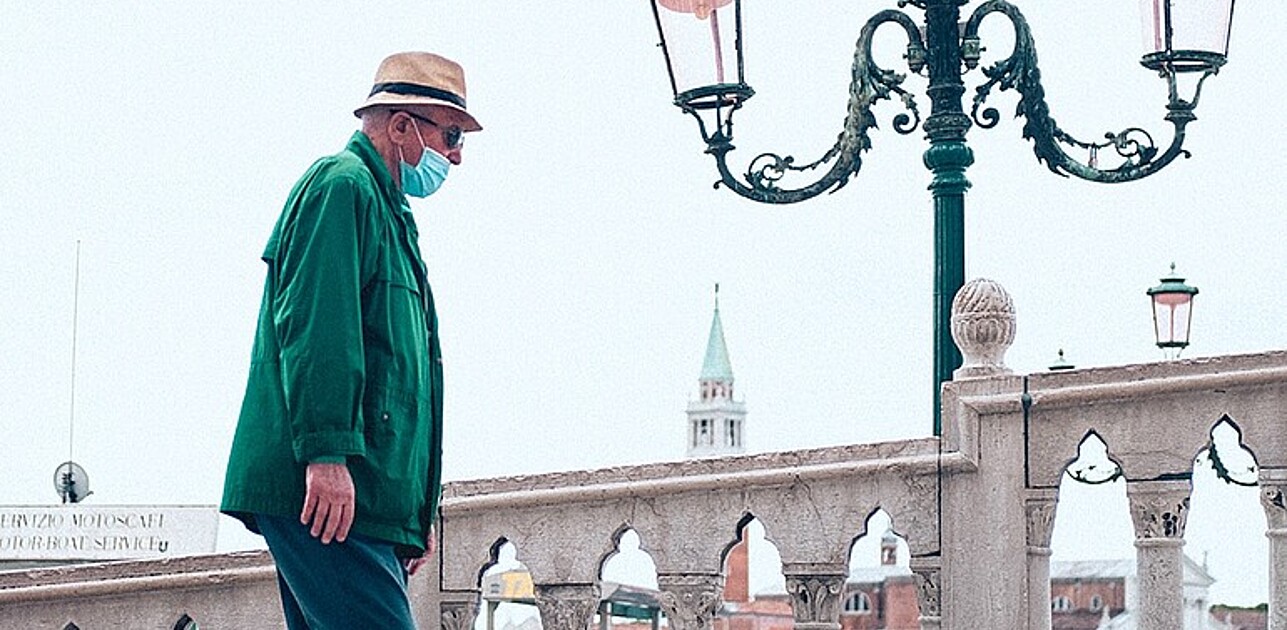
{"type": "Point", "coordinates": [1195, 25]}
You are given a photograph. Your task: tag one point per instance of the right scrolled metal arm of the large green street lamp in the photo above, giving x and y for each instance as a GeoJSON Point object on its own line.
{"type": "Point", "coordinates": [1140, 155]}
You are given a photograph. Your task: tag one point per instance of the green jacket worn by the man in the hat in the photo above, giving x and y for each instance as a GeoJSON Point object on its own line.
{"type": "Point", "coordinates": [347, 364]}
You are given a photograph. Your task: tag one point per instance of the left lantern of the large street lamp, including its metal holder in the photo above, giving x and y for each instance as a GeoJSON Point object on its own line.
{"type": "Point", "coordinates": [702, 42]}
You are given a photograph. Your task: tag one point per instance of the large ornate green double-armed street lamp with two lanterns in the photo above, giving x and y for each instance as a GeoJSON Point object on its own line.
{"type": "Point", "coordinates": [702, 42]}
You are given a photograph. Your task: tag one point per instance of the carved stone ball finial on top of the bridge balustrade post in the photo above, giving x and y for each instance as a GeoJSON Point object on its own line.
{"type": "Point", "coordinates": [983, 328]}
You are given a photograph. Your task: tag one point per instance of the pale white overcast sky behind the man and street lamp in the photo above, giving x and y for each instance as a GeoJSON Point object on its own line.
{"type": "Point", "coordinates": [573, 255]}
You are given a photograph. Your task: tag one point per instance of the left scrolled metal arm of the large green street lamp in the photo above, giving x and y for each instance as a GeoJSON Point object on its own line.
{"type": "Point", "coordinates": [871, 84]}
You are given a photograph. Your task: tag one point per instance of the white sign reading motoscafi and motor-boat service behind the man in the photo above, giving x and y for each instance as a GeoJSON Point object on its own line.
{"type": "Point", "coordinates": [106, 533]}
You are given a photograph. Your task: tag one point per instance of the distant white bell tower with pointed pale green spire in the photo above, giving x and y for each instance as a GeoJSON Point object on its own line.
{"type": "Point", "coordinates": [716, 421]}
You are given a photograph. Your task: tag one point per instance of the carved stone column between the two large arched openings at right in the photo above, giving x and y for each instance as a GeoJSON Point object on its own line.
{"type": "Point", "coordinates": [1160, 511]}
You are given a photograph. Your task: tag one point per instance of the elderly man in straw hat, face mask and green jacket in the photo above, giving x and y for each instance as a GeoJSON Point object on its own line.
{"type": "Point", "coordinates": [338, 456]}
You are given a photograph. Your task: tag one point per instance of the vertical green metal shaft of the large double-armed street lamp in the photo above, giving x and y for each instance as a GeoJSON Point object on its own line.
{"type": "Point", "coordinates": [948, 159]}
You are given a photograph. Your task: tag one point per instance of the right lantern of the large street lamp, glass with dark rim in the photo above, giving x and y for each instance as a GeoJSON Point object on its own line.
{"type": "Point", "coordinates": [1186, 35]}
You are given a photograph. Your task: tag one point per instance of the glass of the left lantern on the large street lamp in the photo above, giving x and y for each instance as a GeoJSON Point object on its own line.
{"type": "Point", "coordinates": [701, 40]}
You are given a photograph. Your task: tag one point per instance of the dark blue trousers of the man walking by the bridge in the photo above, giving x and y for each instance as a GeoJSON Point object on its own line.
{"type": "Point", "coordinates": [353, 586]}
